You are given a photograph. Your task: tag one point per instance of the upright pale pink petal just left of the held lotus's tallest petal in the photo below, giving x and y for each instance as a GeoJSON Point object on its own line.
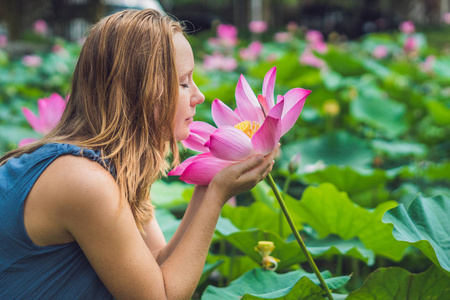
{"type": "Point", "coordinates": [247, 102]}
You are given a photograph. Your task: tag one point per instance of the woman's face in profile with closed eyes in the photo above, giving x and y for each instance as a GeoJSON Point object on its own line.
{"type": "Point", "coordinates": [189, 94]}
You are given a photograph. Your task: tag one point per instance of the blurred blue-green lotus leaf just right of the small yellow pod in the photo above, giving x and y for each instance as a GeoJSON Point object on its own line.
{"type": "Point", "coordinates": [381, 113]}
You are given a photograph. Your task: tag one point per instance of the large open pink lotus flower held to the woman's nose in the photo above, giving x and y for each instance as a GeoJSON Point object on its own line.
{"type": "Point", "coordinates": [255, 127]}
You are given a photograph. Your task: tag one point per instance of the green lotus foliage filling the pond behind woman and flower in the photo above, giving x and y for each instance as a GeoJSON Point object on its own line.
{"type": "Point", "coordinates": [383, 142]}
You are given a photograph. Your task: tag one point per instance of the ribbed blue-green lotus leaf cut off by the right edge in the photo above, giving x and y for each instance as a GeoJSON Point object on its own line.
{"type": "Point", "coordinates": [425, 224]}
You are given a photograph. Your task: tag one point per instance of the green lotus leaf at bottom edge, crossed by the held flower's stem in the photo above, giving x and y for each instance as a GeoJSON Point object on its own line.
{"type": "Point", "coordinates": [263, 284]}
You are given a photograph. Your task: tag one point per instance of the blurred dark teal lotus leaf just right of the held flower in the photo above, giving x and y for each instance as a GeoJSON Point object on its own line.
{"type": "Point", "coordinates": [336, 148]}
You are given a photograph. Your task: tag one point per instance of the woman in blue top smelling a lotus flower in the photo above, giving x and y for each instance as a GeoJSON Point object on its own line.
{"type": "Point", "coordinates": [75, 215]}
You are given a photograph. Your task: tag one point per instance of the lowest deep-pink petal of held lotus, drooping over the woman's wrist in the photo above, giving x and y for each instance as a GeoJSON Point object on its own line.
{"type": "Point", "coordinates": [202, 169]}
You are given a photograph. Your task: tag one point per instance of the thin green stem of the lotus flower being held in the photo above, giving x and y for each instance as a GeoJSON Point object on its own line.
{"type": "Point", "coordinates": [270, 181]}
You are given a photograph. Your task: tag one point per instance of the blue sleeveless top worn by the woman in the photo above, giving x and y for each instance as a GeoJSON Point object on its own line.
{"type": "Point", "coordinates": [28, 271]}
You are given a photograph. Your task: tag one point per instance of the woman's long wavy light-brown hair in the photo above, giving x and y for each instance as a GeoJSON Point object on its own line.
{"type": "Point", "coordinates": [122, 102]}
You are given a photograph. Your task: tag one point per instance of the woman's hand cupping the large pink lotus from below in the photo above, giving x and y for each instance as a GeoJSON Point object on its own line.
{"type": "Point", "coordinates": [242, 176]}
